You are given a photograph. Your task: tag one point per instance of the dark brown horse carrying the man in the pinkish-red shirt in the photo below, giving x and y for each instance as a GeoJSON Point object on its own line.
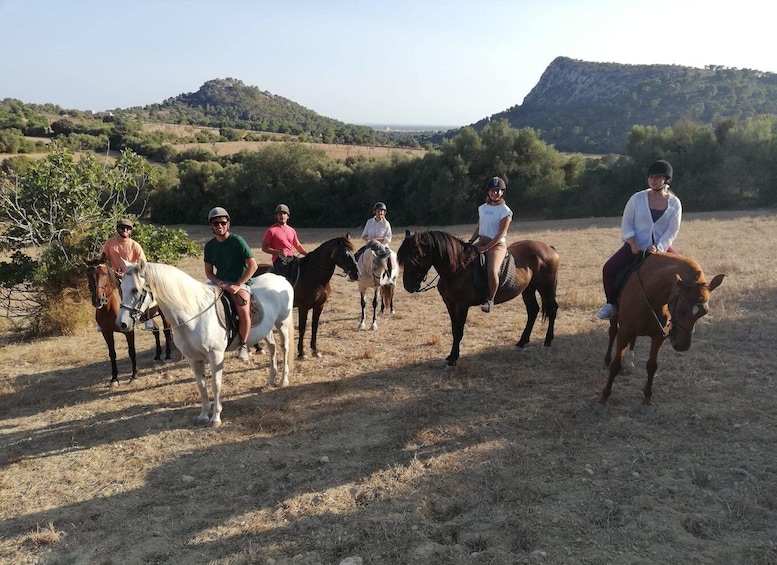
{"type": "Point", "coordinates": [312, 286]}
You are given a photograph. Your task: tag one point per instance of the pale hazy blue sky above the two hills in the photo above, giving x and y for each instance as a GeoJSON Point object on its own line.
{"type": "Point", "coordinates": [402, 62]}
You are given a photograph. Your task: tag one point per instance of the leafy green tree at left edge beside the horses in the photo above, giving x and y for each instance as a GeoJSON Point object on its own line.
{"type": "Point", "coordinates": [59, 211]}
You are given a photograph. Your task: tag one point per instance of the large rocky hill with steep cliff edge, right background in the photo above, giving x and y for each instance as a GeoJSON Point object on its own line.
{"type": "Point", "coordinates": [589, 107]}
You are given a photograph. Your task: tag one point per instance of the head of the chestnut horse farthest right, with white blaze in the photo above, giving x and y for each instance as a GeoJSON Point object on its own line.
{"type": "Point", "coordinates": [689, 302]}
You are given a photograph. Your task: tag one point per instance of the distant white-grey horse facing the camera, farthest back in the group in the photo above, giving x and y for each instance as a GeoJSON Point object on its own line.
{"type": "Point", "coordinates": [375, 271]}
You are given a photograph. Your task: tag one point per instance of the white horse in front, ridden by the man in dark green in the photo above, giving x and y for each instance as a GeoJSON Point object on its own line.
{"type": "Point", "coordinates": [197, 320]}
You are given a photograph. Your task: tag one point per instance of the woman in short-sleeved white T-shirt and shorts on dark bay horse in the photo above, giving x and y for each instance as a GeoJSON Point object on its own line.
{"type": "Point", "coordinates": [494, 217]}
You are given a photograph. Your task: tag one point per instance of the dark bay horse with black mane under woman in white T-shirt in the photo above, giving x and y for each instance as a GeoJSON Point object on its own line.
{"type": "Point", "coordinates": [536, 271]}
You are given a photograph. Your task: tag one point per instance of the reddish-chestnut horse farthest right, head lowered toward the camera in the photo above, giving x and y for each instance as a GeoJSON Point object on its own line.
{"type": "Point", "coordinates": [662, 299]}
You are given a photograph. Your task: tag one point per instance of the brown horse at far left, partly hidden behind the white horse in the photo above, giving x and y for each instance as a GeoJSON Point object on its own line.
{"type": "Point", "coordinates": [104, 288]}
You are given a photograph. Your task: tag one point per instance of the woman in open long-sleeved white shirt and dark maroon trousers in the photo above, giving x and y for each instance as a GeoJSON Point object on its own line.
{"type": "Point", "coordinates": [651, 222]}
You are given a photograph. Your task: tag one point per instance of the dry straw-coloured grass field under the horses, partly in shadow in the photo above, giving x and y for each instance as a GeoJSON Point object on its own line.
{"type": "Point", "coordinates": [375, 454]}
